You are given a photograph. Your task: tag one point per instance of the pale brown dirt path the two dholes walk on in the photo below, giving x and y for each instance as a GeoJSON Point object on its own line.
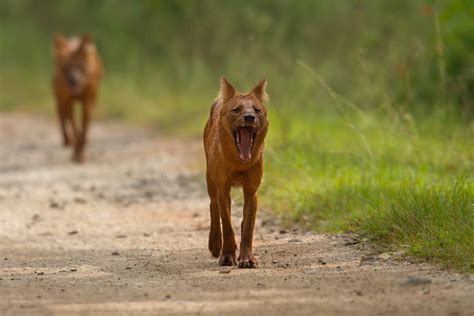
{"type": "Point", "coordinates": [126, 233]}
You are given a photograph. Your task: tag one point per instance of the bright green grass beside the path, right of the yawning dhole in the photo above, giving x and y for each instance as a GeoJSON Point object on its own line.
{"type": "Point", "coordinates": [401, 181]}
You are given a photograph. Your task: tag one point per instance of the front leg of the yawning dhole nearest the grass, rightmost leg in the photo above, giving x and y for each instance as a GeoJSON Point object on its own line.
{"type": "Point", "coordinates": [246, 258]}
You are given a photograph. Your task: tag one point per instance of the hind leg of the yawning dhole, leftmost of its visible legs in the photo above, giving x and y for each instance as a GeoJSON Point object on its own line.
{"type": "Point", "coordinates": [215, 233]}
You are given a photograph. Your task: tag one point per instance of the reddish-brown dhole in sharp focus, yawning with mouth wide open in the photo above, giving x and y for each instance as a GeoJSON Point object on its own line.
{"type": "Point", "coordinates": [228, 167]}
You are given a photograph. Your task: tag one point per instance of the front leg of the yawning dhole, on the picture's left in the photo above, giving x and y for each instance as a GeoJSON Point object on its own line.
{"type": "Point", "coordinates": [228, 249]}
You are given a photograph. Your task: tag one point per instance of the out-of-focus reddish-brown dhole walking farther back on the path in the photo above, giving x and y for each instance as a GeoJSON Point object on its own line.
{"type": "Point", "coordinates": [77, 75]}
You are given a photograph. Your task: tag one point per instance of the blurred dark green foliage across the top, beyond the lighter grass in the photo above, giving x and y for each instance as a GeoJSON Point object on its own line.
{"type": "Point", "coordinates": [375, 53]}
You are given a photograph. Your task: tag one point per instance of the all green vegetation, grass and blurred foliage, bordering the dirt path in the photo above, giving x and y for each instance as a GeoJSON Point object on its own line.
{"type": "Point", "coordinates": [371, 101]}
